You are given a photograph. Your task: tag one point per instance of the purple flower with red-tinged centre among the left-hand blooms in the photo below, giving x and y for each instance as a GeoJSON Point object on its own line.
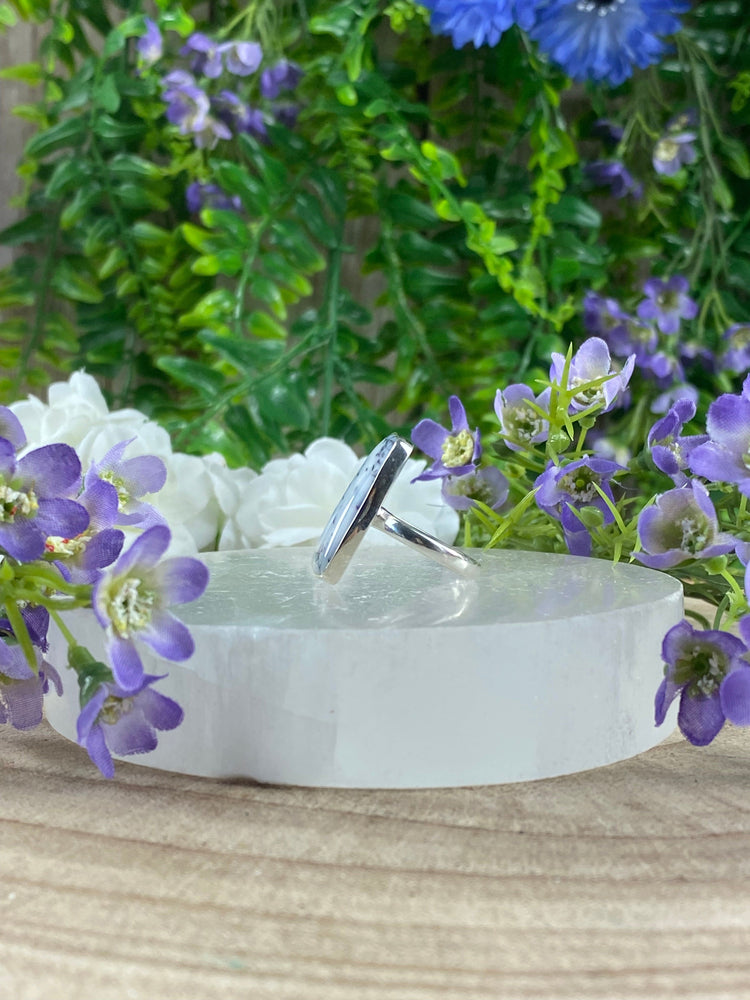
{"type": "Point", "coordinates": [81, 558]}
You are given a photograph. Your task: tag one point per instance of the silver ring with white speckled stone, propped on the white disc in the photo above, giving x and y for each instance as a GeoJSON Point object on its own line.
{"type": "Point", "coordinates": [361, 506]}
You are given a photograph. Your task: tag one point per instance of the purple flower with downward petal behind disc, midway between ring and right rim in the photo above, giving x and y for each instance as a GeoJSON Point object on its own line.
{"type": "Point", "coordinates": [563, 490]}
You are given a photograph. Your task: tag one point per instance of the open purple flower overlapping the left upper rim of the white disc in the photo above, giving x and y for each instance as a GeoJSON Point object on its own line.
{"type": "Point", "coordinates": [131, 602]}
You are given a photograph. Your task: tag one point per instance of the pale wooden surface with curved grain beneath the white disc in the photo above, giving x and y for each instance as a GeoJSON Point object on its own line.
{"type": "Point", "coordinates": [632, 881]}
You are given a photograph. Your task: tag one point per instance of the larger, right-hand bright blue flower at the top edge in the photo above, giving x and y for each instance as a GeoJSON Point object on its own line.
{"type": "Point", "coordinates": [602, 40]}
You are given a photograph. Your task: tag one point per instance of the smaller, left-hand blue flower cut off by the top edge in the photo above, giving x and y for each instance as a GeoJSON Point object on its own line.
{"type": "Point", "coordinates": [478, 21]}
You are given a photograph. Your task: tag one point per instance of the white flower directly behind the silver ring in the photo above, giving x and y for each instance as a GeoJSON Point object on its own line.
{"type": "Point", "coordinates": [291, 500]}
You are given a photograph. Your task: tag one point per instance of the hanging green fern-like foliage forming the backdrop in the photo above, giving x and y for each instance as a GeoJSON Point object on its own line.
{"type": "Point", "coordinates": [425, 227]}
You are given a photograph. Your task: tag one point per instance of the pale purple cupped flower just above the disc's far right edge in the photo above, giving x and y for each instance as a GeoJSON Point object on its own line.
{"type": "Point", "coordinates": [681, 525]}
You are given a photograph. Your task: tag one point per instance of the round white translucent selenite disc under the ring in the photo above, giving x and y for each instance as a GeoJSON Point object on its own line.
{"type": "Point", "coordinates": [403, 676]}
